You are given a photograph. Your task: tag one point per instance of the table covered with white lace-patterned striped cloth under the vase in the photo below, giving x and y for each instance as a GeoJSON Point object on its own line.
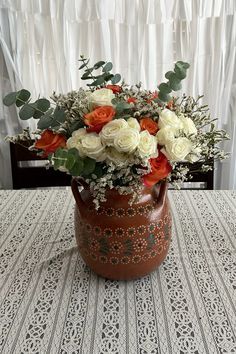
{"type": "Point", "coordinates": [50, 302]}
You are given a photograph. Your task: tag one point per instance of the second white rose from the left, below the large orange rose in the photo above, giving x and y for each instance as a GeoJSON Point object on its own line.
{"type": "Point", "coordinates": [91, 146]}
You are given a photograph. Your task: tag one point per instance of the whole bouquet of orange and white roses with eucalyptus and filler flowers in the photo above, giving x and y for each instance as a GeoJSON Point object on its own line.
{"type": "Point", "coordinates": [122, 137]}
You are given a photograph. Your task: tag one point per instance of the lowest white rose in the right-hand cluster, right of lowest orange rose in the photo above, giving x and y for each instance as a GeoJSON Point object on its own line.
{"type": "Point", "coordinates": [178, 149]}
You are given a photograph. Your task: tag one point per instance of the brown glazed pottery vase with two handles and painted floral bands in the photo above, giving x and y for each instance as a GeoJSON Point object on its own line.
{"type": "Point", "coordinates": [119, 240]}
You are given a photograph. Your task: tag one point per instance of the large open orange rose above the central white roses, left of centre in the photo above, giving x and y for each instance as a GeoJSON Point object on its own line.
{"type": "Point", "coordinates": [99, 117]}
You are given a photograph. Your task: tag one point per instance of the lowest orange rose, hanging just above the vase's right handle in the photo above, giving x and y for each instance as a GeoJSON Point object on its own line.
{"type": "Point", "coordinates": [160, 169]}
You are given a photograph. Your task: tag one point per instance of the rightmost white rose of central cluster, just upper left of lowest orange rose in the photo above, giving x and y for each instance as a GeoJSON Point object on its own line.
{"type": "Point", "coordinates": [147, 145]}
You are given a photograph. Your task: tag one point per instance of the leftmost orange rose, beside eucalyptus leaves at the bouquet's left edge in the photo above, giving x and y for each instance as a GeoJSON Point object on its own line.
{"type": "Point", "coordinates": [50, 142]}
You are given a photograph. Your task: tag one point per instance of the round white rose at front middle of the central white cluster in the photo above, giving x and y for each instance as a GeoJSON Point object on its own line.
{"type": "Point", "coordinates": [127, 140]}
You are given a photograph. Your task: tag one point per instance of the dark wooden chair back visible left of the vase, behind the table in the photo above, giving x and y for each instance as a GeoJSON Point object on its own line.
{"type": "Point", "coordinates": [26, 176]}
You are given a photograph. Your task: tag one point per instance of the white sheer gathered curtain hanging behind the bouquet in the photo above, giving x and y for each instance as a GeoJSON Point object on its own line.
{"type": "Point", "coordinates": [41, 41]}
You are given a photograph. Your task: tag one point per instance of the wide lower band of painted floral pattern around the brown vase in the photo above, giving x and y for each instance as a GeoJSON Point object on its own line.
{"type": "Point", "coordinates": [124, 245]}
